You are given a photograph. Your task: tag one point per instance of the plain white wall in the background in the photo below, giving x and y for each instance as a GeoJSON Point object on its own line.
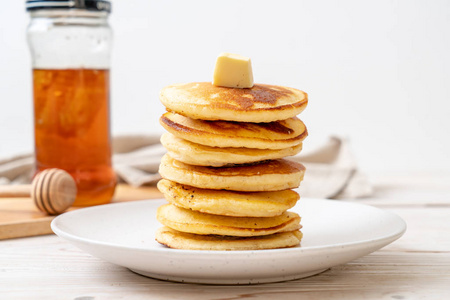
{"type": "Point", "coordinates": [377, 72]}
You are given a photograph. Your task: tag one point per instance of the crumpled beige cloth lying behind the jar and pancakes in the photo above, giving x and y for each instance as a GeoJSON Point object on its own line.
{"type": "Point", "coordinates": [331, 171]}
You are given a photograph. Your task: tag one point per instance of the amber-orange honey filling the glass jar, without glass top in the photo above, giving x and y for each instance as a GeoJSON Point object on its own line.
{"type": "Point", "coordinates": [71, 115]}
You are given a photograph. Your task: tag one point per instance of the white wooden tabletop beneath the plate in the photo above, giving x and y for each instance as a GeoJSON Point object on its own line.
{"type": "Point", "coordinates": [417, 266]}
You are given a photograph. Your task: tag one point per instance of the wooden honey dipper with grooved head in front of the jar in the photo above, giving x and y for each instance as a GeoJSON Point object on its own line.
{"type": "Point", "coordinates": [52, 190]}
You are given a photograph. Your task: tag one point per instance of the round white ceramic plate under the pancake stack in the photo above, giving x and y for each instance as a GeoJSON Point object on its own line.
{"type": "Point", "coordinates": [335, 232]}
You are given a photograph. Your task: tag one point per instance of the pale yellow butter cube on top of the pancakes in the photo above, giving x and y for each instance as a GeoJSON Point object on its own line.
{"type": "Point", "coordinates": [233, 70]}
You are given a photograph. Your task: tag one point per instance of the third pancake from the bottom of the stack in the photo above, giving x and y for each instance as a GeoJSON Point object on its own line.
{"type": "Point", "coordinates": [228, 203]}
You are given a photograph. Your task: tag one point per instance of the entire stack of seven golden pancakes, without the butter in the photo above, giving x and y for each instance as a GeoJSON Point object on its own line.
{"type": "Point", "coordinates": [225, 176]}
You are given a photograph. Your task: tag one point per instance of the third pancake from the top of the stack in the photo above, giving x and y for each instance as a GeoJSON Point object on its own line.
{"type": "Point", "coordinates": [196, 154]}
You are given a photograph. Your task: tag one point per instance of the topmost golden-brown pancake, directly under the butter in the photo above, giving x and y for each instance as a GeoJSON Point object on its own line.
{"type": "Point", "coordinates": [261, 103]}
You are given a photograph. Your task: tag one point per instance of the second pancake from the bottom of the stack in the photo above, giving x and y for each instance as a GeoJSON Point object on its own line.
{"type": "Point", "coordinates": [190, 221]}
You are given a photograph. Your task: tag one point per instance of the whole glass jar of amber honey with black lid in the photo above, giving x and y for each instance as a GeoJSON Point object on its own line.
{"type": "Point", "coordinates": [70, 45]}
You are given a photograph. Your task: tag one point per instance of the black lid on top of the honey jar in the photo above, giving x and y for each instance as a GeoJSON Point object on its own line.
{"type": "Point", "coordinates": [93, 5]}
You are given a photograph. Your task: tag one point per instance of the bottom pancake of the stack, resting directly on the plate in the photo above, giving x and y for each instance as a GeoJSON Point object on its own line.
{"type": "Point", "coordinates": [188, 241]}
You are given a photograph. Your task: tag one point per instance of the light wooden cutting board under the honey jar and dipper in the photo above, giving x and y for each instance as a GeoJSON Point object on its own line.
{"type": "Point", "coordinates": [20, 218]}
